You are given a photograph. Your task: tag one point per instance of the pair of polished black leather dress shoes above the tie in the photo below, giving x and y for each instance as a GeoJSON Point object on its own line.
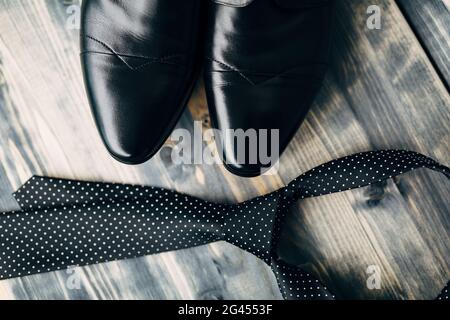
{"type": "Point", "coordinates": [263, 60]}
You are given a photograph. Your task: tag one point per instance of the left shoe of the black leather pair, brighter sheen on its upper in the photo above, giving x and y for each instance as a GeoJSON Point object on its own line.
{"type": "Point", "coordinates": [140, 61]}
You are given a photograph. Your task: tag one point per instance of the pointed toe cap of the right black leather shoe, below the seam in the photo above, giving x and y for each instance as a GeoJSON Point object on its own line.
{"type": "Point", "coordinates": [265, 105]}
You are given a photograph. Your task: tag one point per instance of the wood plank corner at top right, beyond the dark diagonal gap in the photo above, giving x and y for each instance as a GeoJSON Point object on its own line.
{"type": "Point", "coordinates": [430, 20]}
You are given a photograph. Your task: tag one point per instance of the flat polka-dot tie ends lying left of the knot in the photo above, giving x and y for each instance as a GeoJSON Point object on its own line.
{"type": "Point", "coordinates": [71, 222]}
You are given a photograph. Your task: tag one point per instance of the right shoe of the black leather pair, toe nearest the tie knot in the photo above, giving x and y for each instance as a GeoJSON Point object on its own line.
{"type": "Point", "coordinates": [265, 62]}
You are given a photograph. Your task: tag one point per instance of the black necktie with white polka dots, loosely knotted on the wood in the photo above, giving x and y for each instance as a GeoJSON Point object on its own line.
{"type": "Point", "coordinates": [65, 223]}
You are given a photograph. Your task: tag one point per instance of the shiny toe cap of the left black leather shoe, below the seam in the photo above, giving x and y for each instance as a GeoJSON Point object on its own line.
{"type": "Point", "coordinates": [134, 107]}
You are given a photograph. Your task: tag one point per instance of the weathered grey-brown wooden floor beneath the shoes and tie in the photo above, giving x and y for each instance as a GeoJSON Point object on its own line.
{"type": "Point", "coordinates": [386, 88]}
